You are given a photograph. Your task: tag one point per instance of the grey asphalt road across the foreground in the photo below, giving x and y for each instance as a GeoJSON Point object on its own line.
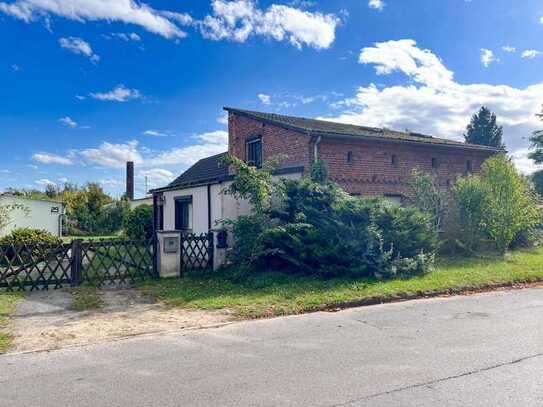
{"type": "Point", "coordinates": [484, 350]}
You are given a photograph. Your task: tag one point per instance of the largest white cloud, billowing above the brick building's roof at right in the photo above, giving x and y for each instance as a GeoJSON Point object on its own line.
{"type": "Point", "coordinates": [434, 103]}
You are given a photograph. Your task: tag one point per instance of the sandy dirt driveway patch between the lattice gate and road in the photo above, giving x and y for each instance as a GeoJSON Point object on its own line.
{"type": "Point", "coordinates": [45, 320]}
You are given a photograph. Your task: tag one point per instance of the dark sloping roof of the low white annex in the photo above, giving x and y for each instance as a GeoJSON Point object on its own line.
{"type": "Point", "coordinates": [206, 170]}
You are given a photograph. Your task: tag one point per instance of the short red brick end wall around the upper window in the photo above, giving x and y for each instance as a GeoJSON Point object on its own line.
{"type": "Point", "coordinates": [275, 140]}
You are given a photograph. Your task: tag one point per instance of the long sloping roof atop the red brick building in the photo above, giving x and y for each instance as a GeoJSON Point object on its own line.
{"type": "Point", "coordinates": [329, 128]}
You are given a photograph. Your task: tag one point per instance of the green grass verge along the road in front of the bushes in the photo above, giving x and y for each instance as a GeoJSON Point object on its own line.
{"type": "Point", "coordinates": [278, 294]}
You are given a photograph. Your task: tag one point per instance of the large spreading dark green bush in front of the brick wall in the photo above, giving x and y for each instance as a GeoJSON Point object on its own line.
{"type": "Point", "coordinates": [314, 227]}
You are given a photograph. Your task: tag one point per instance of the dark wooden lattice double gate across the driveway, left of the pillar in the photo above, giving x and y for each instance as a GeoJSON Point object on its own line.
{"type": "Point", "coordinates": [98, 262]}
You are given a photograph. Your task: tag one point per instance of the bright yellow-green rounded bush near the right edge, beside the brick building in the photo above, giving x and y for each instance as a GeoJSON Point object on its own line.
{"type": "Point", "coordinates": [497, 205]}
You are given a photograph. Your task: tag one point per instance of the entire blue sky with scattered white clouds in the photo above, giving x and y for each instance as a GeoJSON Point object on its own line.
{"type": "Point", "coordinates": [88, 84]}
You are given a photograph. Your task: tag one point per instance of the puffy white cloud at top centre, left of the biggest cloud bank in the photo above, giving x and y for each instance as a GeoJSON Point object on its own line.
{"type": "Point", "coordinates": [238, 20]}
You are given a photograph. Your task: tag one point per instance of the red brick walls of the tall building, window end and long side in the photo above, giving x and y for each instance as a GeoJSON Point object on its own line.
{"type": "Point", "coordinates": [371, 171]}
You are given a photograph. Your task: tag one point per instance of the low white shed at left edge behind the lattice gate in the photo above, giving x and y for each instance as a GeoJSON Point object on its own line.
{"type": "Point", "coordinates": [33, 213]}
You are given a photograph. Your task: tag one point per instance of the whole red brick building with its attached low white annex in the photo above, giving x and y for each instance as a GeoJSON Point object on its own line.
{"type": "Point", "coordinates": [365, 161]}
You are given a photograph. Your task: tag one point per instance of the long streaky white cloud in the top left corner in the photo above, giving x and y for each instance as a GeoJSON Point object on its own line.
{"type": "Point", "coordinates": [126, 11]}
